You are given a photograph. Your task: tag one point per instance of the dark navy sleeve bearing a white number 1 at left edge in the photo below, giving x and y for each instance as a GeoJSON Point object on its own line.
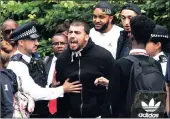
{"type": "Point", "coordinates": [6, 97]}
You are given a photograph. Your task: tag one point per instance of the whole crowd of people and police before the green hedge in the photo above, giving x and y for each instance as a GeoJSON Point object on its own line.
{"type": "Point", "coordinates": [100, 72]}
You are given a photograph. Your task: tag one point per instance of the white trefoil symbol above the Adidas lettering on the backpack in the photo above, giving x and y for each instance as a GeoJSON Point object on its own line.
{"type": "Point", "coordinates": [152, 107]}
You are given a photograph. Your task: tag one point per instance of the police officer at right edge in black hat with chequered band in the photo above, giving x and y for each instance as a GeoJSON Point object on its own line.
{"type": "Point", "coordinates": [157, 47]}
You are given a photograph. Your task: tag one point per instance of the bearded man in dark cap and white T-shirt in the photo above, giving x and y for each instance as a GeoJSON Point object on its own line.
{"type": "Point", "coordinates": [105, 33]}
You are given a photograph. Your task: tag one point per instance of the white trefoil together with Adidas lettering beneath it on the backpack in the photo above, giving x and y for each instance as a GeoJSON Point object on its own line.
{"type": "Point", "coordinates": [150, 108]}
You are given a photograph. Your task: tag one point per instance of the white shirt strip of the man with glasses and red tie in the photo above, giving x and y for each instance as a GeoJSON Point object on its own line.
{"type": "Point", "coordinates": [51, 71]}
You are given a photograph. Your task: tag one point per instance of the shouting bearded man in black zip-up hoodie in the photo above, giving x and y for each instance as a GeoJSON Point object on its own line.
{"type": "Point", "coordinates": [83, 61]}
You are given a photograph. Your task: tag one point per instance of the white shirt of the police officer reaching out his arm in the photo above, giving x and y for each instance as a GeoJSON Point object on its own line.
{"type": "Point", "coordinates": [28, 84]}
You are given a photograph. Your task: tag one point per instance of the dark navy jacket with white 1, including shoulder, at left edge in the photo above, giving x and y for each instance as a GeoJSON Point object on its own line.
{"type": "Point", "coordinates": [9, 87]}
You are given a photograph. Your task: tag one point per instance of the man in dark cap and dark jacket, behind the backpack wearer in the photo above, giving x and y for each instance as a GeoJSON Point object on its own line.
{"type": "Point", "coordinates": [124, 43]}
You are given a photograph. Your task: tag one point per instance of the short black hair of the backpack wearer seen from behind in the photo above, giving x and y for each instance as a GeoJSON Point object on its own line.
{"type": "Point", "coordinates": [141, 28]}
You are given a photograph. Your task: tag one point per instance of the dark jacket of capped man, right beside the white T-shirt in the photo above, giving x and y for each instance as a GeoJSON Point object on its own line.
{"type": "Point", "coordinates": [123, 45]}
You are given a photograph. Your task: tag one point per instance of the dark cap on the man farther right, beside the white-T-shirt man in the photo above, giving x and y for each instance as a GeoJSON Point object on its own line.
{"type": "Point", "coordinates": [132, 7]}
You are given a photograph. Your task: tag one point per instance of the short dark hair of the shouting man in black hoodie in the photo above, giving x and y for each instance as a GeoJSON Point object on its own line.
{"type": "Point", "coordinates": [81, 23]}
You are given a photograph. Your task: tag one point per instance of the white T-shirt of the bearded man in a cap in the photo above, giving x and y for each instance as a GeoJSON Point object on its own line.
{"type": "Point", "coordinates": [107, 40]}
